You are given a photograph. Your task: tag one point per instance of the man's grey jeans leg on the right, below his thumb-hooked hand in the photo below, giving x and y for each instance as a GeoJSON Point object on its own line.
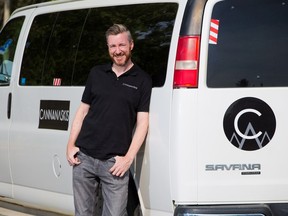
{"type": "Point", "coordinates": [114, 190]}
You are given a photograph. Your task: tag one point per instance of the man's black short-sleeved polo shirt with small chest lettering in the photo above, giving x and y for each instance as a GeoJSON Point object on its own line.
{"type": "Point", "coordinates": [114, 102]}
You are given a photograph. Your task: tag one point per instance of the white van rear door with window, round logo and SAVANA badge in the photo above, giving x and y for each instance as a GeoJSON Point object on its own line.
{"type": "Point", "coordinates": [242, 122]}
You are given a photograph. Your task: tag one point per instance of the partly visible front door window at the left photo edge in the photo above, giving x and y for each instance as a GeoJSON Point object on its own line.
{"type": "Point", "coordinates": [8, 43]}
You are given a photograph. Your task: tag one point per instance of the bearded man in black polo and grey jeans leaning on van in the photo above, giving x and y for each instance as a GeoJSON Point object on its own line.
{"type": "Point", "coordinates": [102, 145]}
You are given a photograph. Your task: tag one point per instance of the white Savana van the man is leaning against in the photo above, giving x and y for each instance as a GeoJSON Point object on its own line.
{"type": "Point", "coordinates": [218, 137]}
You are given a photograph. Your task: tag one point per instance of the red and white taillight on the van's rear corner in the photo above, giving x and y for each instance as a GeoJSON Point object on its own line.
{"type": "Point", "coordinates": [186, 65]}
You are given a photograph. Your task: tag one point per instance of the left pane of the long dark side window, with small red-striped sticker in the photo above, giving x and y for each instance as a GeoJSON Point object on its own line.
{"type": "Point", "coordinates": [51, 49]}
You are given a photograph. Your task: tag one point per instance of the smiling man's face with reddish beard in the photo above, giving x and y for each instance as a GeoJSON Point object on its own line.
{"type": "Point", "coordinates": [119, 48]}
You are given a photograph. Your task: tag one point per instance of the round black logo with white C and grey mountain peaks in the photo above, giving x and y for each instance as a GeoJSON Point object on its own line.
{"type": "Point", "coordinates": [249, 124]}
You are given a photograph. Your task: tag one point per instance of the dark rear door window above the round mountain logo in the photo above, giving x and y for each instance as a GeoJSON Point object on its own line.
{"type": "Point", "coordinates": [251, 45]}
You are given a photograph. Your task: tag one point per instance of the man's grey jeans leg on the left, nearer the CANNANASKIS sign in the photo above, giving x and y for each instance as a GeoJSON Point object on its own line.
{"type": "Point", "coordinates": [85, 186]}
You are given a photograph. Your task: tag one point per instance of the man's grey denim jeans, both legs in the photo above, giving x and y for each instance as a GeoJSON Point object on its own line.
{"type": "Point", "coordinates": [86, 179]}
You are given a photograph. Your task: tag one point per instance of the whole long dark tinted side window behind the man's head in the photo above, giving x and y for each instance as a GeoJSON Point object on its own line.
{"type": "Point", "coordinates": [62, 47]}
